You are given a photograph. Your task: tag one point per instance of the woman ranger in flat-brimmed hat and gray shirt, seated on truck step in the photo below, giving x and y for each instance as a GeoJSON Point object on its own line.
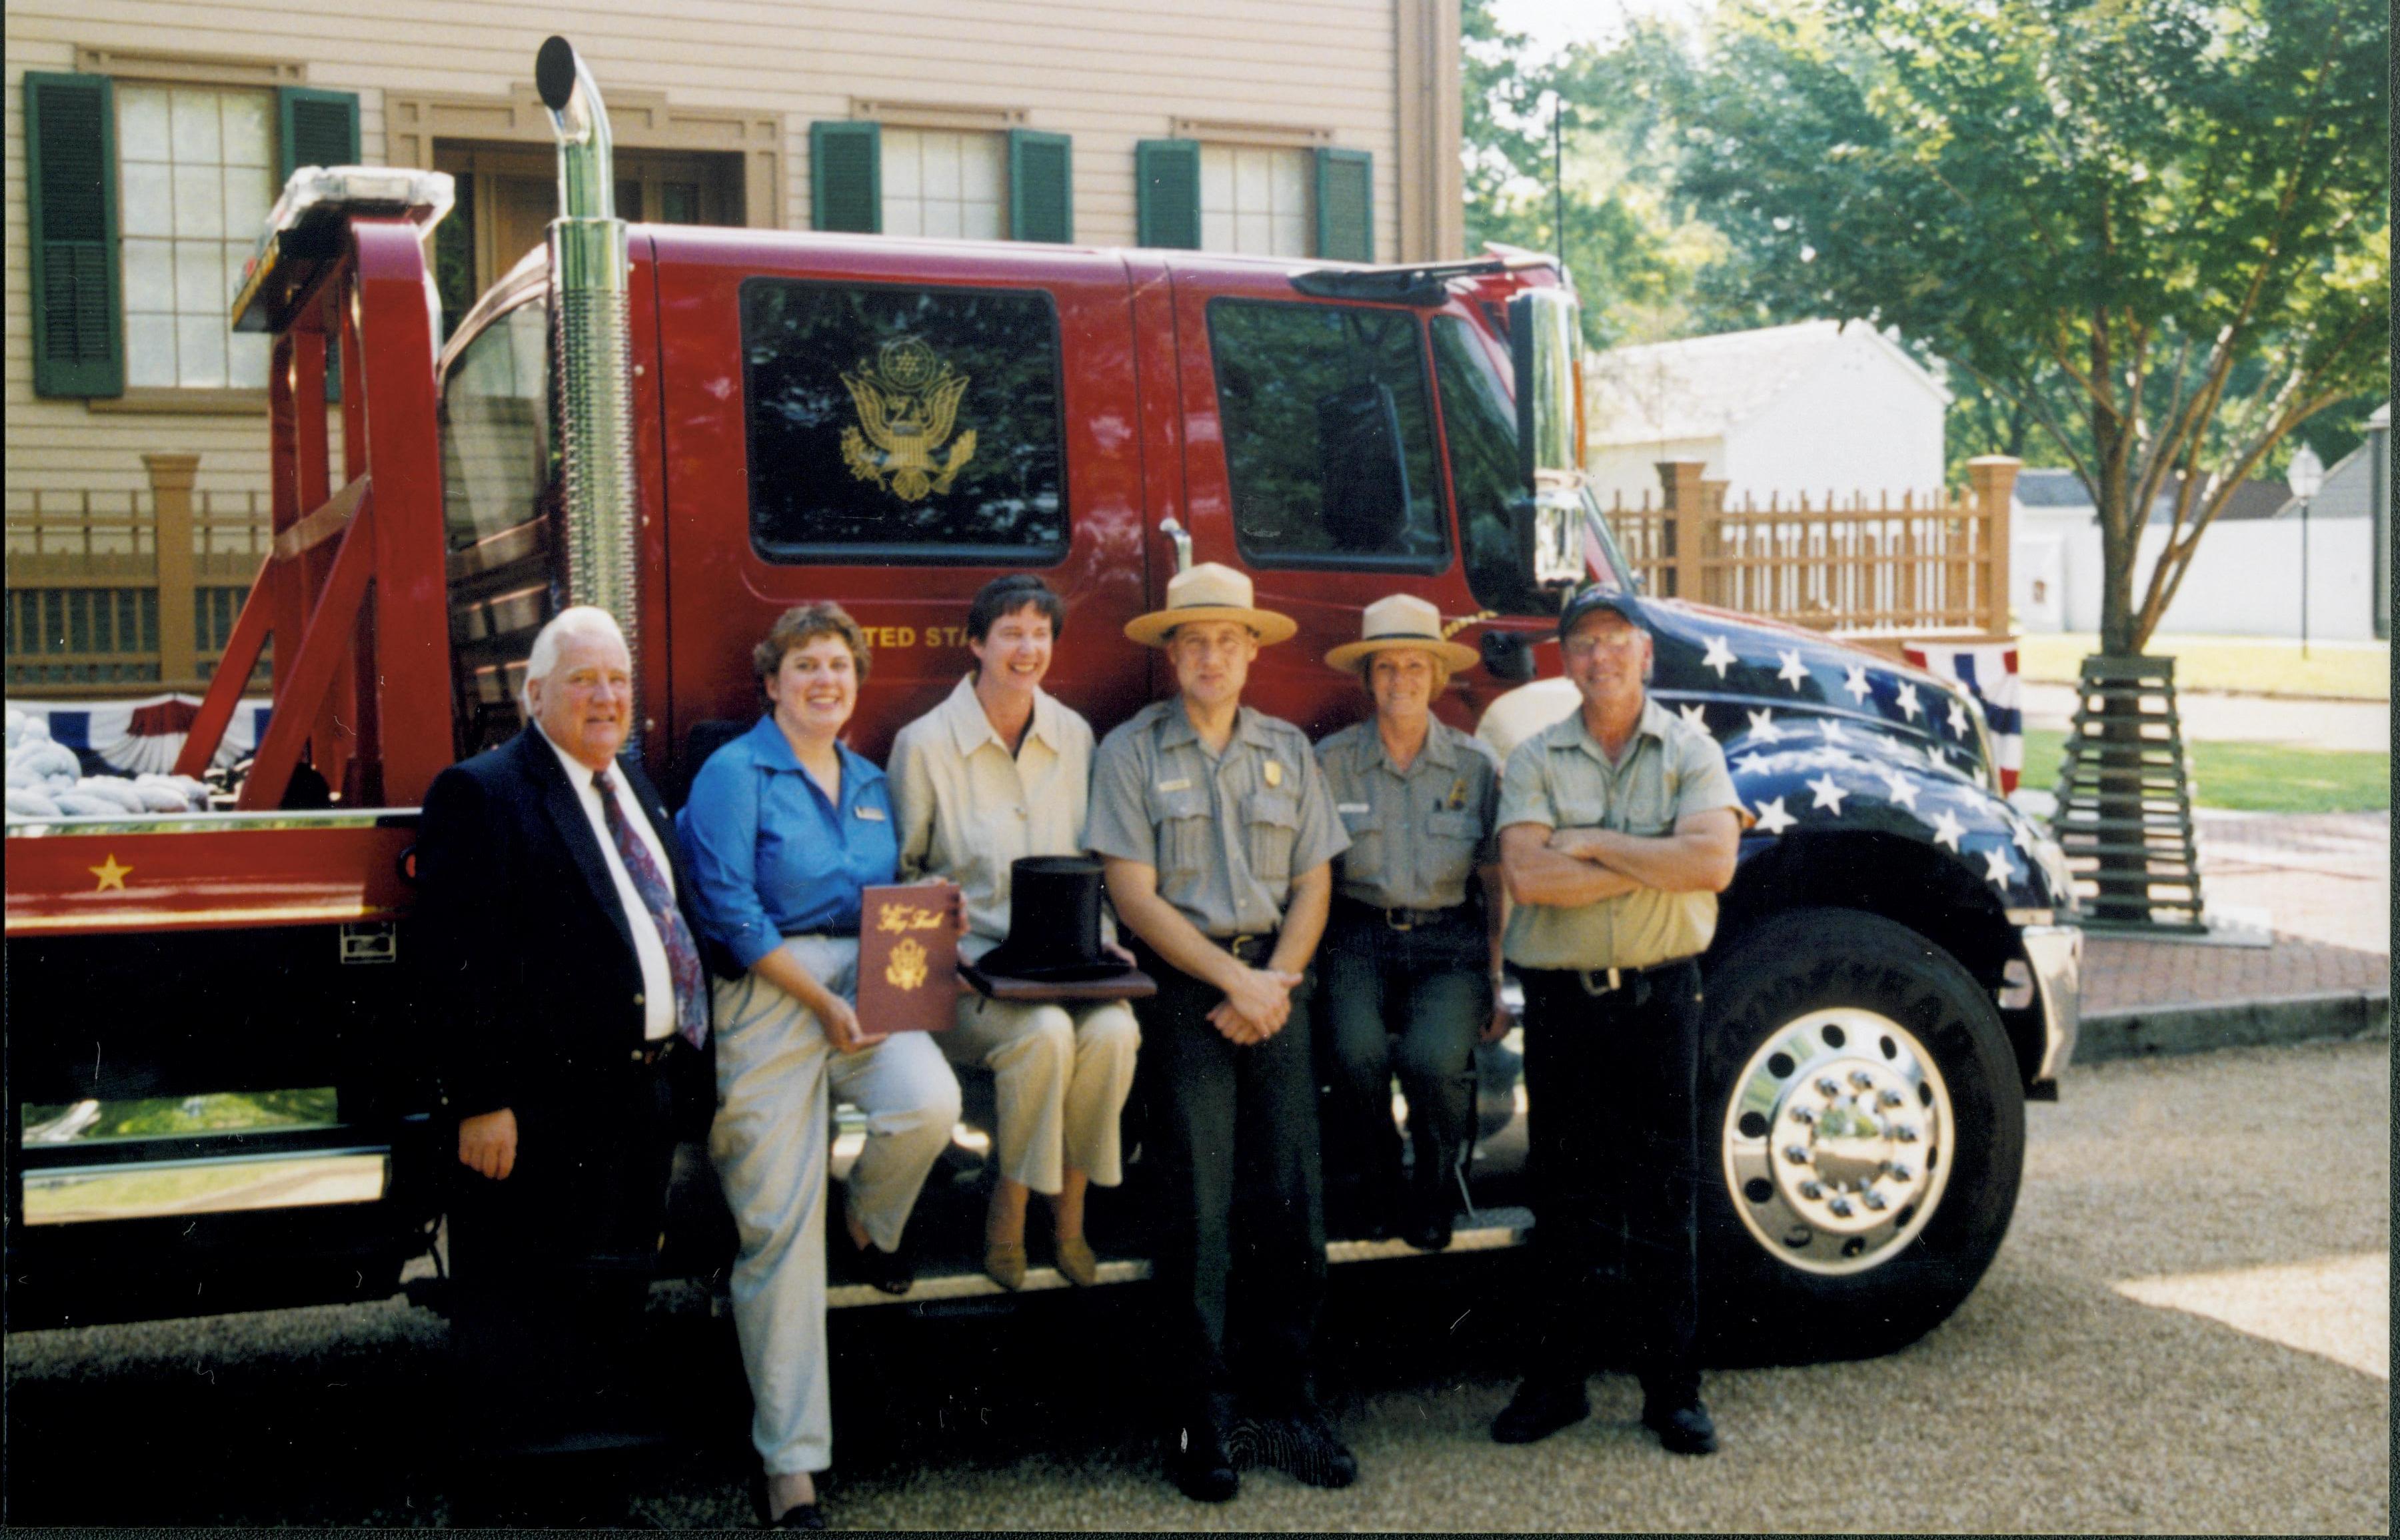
{"type": "Point", "coordinates": [1412, 951]}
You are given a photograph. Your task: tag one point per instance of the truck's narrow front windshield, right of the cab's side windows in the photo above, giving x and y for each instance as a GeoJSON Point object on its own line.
{"type": "Point", "coordinates": [1480, 419]}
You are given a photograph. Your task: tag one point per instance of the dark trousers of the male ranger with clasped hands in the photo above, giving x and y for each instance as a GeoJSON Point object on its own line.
{"type": "Point", "coordinates": [1240, 1256]}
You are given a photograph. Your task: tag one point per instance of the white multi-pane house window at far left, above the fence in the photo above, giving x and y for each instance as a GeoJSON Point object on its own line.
{"type": "Point", "coordinates": [196, 176]}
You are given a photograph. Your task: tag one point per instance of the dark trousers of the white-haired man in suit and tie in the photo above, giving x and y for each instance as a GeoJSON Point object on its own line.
{"type": "Point", "coordinates": [551, 1270]}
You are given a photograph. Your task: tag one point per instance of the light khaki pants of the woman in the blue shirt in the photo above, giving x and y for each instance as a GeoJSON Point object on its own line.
{"type": "Point", "coordinates": [774, 1143]}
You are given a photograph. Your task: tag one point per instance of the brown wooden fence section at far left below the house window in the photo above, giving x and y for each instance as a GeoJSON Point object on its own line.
{"type": "Point", "coordinates": [128, 594]}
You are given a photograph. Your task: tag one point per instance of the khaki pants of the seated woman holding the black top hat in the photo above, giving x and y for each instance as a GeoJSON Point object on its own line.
{"type": "Point", "coordinates": [1062, 1078]}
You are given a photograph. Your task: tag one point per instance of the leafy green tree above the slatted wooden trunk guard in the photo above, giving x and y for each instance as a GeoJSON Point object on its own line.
{"type": "Point", "coordinates": [2152, 229]}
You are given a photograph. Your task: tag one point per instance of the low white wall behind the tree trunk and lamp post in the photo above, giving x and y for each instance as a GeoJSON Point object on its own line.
{"type": "Point", "coordinates": [2245, 579]}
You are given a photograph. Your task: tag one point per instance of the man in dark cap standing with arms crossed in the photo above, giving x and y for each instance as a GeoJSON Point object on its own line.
{"type": "Point", "coordinates": [1619, 829]}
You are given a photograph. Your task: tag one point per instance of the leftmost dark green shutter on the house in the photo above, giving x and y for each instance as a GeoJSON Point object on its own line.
{"type": "Point", "coordinates": [71, 162]}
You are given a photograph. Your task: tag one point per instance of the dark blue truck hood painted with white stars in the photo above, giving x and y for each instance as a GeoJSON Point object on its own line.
{"type": "Point", "coordinates": [1825, 738]}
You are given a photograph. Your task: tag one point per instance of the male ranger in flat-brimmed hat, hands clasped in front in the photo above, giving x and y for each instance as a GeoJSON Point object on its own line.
{"type": "Point", "coordinates": [1218, 838]}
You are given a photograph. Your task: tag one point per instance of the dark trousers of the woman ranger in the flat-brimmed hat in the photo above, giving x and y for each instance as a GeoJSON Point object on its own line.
{"type": "Point", "coordinates": [1412, 1001]}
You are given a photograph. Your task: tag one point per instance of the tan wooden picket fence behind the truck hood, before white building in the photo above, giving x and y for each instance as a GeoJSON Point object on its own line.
{"type": "Point", "coordinates": [1849, 567]}
